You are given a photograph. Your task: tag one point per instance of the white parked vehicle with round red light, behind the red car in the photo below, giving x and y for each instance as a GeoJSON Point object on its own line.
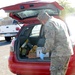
{"type": "Point", "coordinates": [10, 30]}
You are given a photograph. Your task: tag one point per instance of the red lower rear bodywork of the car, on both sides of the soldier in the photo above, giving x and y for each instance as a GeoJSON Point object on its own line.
{"type": "Point", "coordinates": [36, 68]}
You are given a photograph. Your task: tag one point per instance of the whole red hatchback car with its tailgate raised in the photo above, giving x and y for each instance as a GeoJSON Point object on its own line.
{"type": "Point", "coordinates": [30, 35]}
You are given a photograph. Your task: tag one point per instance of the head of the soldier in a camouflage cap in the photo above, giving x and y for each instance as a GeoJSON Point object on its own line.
{"type": "Point", "coordinates": [43, 17]}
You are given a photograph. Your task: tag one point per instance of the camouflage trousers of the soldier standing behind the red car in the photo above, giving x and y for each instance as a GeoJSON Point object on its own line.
{"type": "Point", "coordinates": [59, 65]}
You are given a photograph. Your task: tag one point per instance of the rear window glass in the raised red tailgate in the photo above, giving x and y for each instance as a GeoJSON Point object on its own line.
{"type": "Point", "coordinates": [34, 12]}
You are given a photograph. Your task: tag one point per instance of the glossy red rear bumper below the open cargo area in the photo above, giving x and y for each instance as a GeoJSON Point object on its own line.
{"type": "Point", "coordinates": [29, 68]}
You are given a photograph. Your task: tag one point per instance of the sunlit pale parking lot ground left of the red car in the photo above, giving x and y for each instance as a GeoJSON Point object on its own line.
{"type": "Point", "coordinates": [4, 54]}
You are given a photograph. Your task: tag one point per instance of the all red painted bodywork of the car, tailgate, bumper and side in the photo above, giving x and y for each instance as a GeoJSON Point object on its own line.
{"type": "Point", "coordinates": [33, 68]}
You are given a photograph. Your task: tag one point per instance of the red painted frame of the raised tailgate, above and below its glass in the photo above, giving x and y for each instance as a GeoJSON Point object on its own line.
{"type": "Point", "coordinates": [27, 5]}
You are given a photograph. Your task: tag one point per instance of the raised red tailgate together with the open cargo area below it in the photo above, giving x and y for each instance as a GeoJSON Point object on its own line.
{"type": "Point", "coordinates": [31, 34]}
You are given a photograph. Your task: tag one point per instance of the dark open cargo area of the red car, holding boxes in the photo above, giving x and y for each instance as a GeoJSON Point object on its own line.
{"type": "Point", "coordinates": [32, 37]}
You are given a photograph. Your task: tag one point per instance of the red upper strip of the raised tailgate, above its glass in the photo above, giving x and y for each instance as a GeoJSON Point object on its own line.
{"type": "Point", "coordinates": [25, 5]}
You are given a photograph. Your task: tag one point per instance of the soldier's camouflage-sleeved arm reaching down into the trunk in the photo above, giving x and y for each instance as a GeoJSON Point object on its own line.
{"type": "Point", "coordinates": [50, 37]}
